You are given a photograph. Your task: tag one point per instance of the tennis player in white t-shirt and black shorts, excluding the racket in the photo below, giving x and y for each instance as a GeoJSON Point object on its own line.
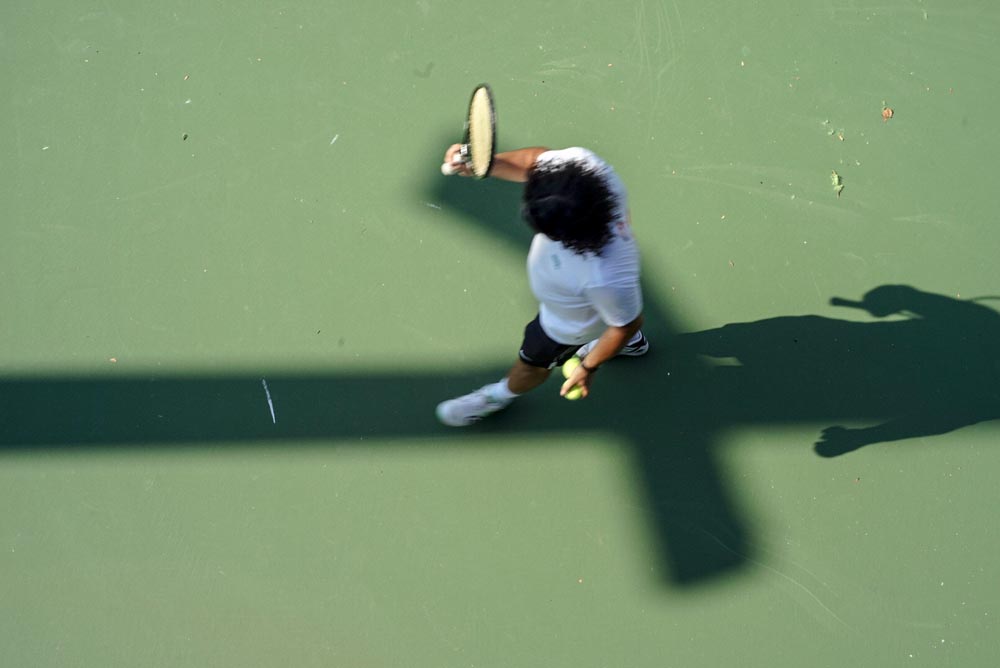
{"type": "Point", "coordinates": [583, 267]}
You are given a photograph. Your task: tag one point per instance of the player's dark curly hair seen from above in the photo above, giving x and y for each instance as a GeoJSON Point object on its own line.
{"type": "Point", "coordinates": [570, 203]}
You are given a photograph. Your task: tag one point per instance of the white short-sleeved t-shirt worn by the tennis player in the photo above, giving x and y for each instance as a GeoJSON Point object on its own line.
{"type": "Point", "coordinates": [581, 295]}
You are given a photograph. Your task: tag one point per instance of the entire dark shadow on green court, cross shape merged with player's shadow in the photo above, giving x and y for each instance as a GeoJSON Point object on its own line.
{"type": "Point", "coordinates": [932, 370]}
